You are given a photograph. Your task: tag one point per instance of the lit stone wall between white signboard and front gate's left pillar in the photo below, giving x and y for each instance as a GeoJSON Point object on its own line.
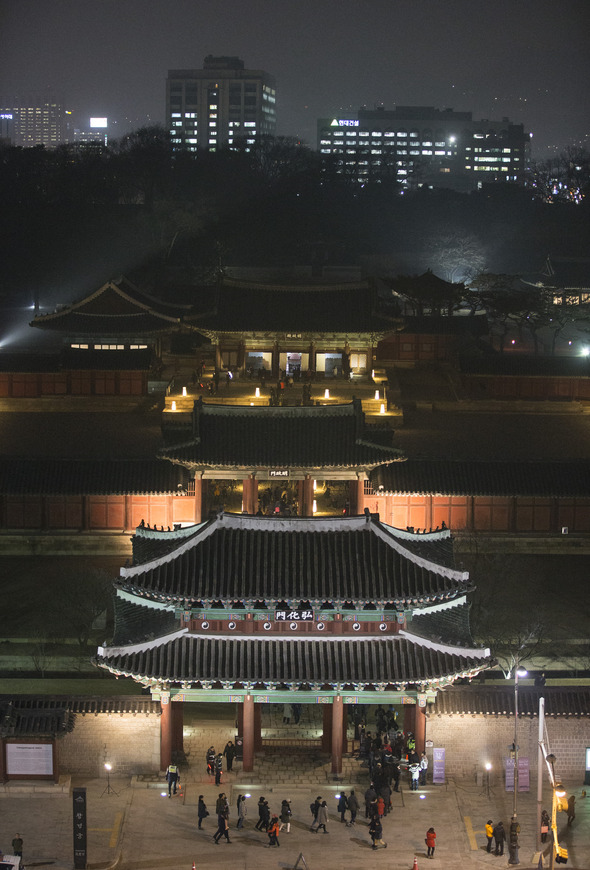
{"type": "Point", "coordinates": [131, 743]}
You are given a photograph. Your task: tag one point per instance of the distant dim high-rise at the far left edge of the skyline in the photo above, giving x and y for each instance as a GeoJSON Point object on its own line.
{"type": "Point", "coordinates": [38, 119]}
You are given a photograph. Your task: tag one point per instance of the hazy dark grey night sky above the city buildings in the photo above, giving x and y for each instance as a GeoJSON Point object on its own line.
{"type": "Point", "coordinates": [525, 59]}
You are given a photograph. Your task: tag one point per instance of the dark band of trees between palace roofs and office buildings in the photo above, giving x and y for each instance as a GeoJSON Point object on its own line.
{"type": "Point", "coordinates": [73, 217]}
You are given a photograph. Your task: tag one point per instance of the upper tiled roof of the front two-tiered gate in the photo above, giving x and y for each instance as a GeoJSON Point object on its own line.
{"type": "Point", "coordinates": [257, 559]}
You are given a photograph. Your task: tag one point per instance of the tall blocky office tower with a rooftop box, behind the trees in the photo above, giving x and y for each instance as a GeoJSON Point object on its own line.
{"type": "Point", "coordinates": [212, 107]}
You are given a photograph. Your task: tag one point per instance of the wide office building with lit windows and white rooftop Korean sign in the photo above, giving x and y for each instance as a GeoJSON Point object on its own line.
{"type": "Point", "coordinates": [420, 146]}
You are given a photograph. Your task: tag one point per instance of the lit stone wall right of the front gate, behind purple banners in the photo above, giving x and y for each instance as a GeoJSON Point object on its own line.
{"type": "Point", "coordinates": [471, 740]}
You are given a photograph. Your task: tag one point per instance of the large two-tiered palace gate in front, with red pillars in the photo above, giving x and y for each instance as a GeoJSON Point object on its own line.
{"type": "Point", "coordinates": [253, 610]}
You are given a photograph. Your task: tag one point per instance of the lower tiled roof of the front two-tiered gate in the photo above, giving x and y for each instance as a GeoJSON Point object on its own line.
{"type": "Point", "coordinates": [199, 659]}
